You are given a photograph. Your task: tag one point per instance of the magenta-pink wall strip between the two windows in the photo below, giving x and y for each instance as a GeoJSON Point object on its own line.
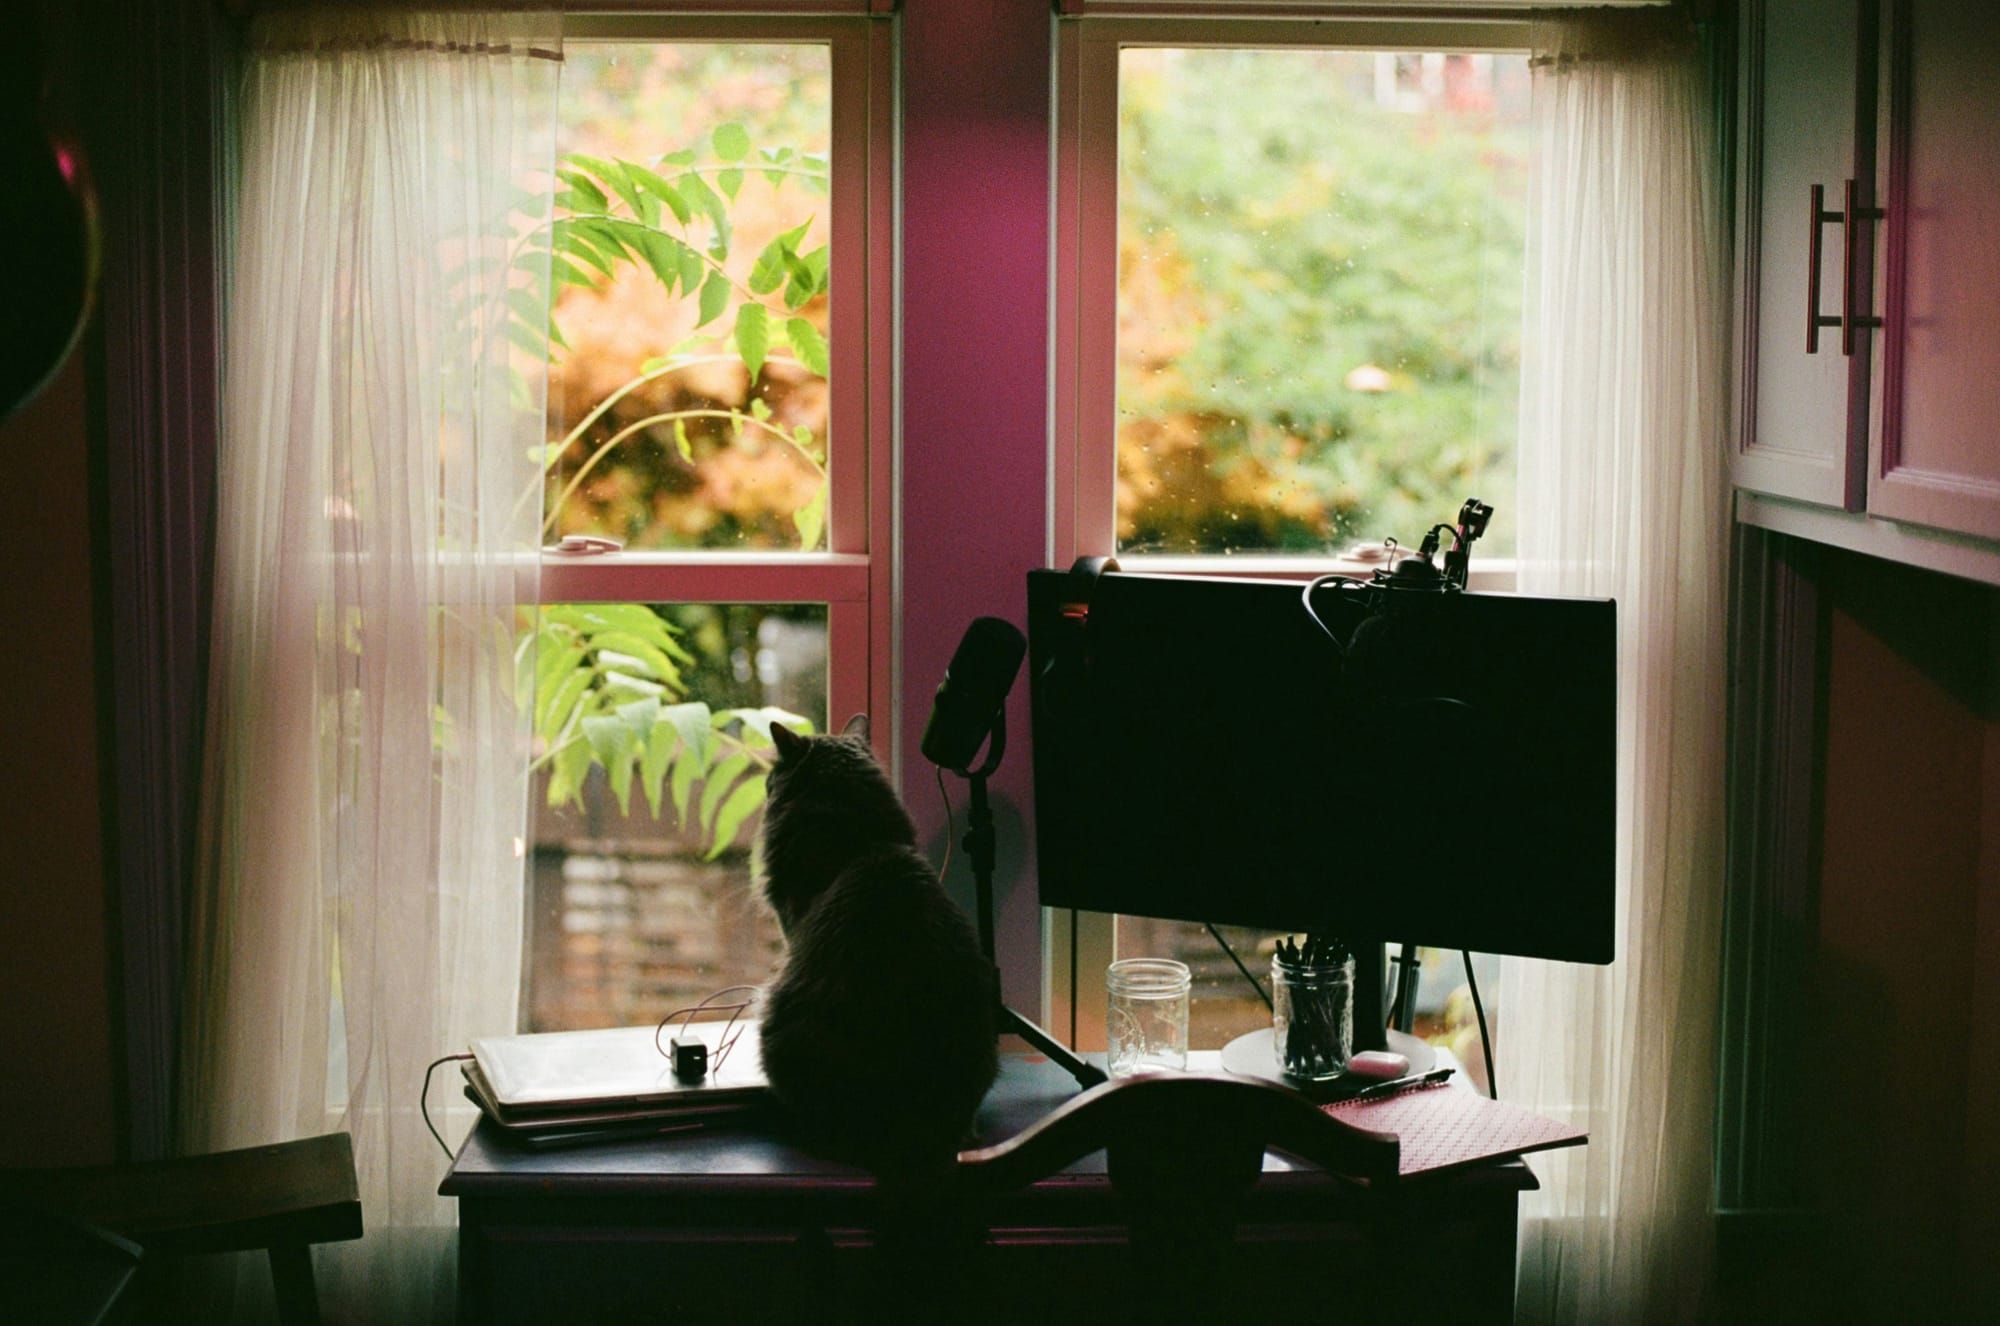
{"type": "Point", "coordinates": [975, 381]}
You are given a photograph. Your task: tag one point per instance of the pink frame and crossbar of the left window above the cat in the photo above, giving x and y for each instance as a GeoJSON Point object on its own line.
{"type": "Point", "coordinates": [855, 575]}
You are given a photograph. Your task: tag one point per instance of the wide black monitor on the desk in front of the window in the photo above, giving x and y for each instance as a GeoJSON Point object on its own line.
{"type": "Point", "coordinates": [1439, 773]}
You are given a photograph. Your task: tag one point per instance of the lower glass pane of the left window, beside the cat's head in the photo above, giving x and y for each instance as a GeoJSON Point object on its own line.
{"type": "Point", "coordinates": [633, 915]}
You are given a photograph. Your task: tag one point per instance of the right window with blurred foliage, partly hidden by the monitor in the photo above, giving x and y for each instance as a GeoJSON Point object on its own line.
{"type": "Point", "coordinates": [1289, 325]}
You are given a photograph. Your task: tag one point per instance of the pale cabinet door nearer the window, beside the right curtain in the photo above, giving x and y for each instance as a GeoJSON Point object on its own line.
{"type": "Point", "coordinates": [1807, 115]}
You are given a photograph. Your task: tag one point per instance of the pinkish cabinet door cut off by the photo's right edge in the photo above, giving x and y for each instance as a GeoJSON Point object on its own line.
{"type": "Point", "coordinates": [1939, 457]}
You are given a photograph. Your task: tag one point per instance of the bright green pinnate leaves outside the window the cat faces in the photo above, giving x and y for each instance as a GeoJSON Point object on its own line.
{"type": "Point", "coordinates": [609, 683]}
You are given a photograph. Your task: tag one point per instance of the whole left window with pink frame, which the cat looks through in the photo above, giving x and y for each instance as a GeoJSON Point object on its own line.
{"type": "Point", "coordinates": [717, 509]}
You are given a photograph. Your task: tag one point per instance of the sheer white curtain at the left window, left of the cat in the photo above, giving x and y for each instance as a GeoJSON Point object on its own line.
{"type": "Point", "coordinates": [365, 795]}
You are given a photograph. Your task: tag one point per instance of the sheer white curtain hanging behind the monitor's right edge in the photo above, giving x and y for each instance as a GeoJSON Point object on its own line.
{"type": "Point", "coordinates": [1625, 497]}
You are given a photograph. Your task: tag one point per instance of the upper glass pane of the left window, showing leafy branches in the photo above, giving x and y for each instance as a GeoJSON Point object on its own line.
{"type": "Point", "coordinates": [689, 391]}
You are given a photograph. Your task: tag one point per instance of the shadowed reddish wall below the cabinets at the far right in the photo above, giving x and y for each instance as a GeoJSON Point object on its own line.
{"type": "Point", "coordinates": [1905, 1005]}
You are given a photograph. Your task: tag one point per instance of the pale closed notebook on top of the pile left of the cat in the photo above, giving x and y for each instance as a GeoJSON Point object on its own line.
{"type": "Point", "coordinates": [593, 1073]}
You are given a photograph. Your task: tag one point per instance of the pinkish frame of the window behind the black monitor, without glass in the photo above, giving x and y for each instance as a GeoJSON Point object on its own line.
{"type": "Point", "coordinates": [1083, 467]}
